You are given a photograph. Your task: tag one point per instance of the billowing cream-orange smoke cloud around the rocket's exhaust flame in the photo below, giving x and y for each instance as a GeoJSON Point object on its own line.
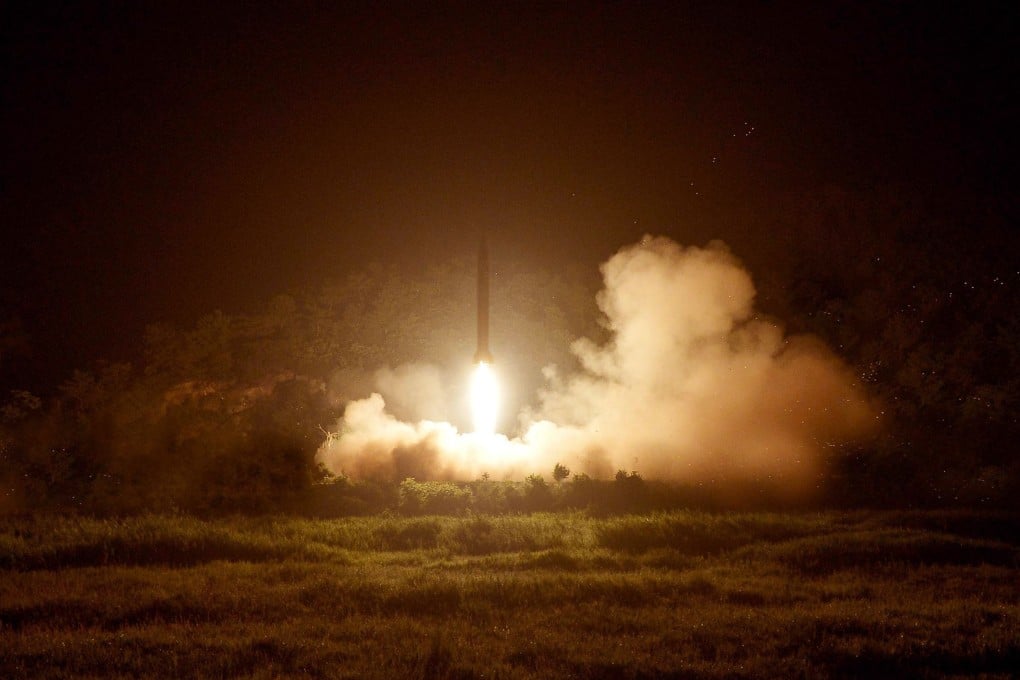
{"type": "Point", "coordinates": [692, 386]}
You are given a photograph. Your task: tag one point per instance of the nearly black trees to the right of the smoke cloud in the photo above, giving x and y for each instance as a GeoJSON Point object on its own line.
{"type": "Point", "coordinates": [919, 296]}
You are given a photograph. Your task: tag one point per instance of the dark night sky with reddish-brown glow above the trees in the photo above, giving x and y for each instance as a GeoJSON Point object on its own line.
{"type": "Point", "coordinates": [162, 162]}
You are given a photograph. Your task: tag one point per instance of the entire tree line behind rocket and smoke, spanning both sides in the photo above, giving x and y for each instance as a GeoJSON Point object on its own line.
{"type": "Point", "coordinates": [227, 415]}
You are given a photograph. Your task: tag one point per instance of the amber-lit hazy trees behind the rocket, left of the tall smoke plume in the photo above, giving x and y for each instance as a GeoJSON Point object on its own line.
{"type": "Point", "coordinates": [227, 416]}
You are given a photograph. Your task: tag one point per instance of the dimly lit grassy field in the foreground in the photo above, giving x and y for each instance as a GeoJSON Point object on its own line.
{"type": "Point", "coordinates": [679, 595]}
